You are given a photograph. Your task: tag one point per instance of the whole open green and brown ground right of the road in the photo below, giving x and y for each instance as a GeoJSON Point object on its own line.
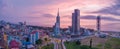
{"type": "Point", "coordinates": [97, 43]}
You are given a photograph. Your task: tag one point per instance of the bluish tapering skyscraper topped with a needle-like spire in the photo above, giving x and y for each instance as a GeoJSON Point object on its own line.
{"type": "Point", "coordinates": [57, 24]}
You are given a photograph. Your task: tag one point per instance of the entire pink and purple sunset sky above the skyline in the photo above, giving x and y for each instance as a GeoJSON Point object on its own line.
{"type": "Point", "coordinates": [43, 12]}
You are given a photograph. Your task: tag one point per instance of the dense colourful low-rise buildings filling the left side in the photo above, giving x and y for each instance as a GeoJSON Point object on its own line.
{"type": "Point", "coordinates": [19, 36]}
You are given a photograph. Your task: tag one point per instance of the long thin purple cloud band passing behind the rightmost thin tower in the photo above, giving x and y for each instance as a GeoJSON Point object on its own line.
{"type": "Point", "coordinates": [92, 17]}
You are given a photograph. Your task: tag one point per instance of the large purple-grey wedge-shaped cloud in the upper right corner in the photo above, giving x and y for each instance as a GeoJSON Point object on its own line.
{"type": "Point", "coordinates": [113, 9]}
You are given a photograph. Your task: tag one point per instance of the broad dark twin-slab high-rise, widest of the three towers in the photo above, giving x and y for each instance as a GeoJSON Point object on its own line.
{"type": "Point", "coordinates": [76, 22]}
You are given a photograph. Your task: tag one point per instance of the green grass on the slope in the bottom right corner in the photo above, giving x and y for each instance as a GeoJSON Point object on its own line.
{"type": "Point", "coordinates": [112, 43]}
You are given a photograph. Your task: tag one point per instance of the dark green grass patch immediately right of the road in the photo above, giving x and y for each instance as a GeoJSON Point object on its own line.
{"type": "Point", "coordinates": [73, 45]}
